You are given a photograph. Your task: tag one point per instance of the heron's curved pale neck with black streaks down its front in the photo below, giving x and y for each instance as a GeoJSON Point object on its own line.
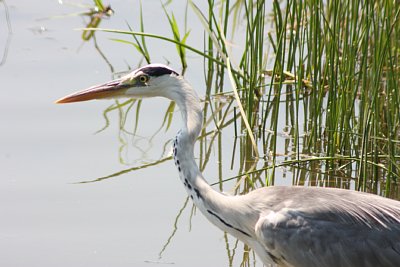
{"type": "Point", "coordinates": [214, 205]}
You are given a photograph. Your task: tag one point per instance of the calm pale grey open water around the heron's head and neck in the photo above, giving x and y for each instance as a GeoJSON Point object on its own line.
{"type": "Point", "coordinates": [46, 219]}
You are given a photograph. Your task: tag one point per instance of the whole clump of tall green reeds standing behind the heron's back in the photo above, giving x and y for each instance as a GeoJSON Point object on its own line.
{"type": "Point", "coordinates": [333, 69]}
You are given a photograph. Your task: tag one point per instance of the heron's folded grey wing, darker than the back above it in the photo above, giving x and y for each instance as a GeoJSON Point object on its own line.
{"type": "Point", "coordinates": [322, 238]}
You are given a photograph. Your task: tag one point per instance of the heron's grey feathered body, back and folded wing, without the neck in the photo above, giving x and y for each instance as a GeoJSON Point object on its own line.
{"type": "Point", "coordinates": [328, 227]}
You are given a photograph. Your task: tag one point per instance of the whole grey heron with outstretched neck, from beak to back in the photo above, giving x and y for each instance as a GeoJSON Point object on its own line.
{"type": "Point", "coordinates": [286, 226]}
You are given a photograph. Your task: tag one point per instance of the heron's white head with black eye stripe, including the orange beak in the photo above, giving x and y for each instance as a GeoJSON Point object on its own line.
{"type": "Point", "coordinates": [149, 81]}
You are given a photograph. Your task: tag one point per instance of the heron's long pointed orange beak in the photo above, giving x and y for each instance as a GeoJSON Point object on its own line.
{"type": "Point", "coordinates": [111, 89]}
